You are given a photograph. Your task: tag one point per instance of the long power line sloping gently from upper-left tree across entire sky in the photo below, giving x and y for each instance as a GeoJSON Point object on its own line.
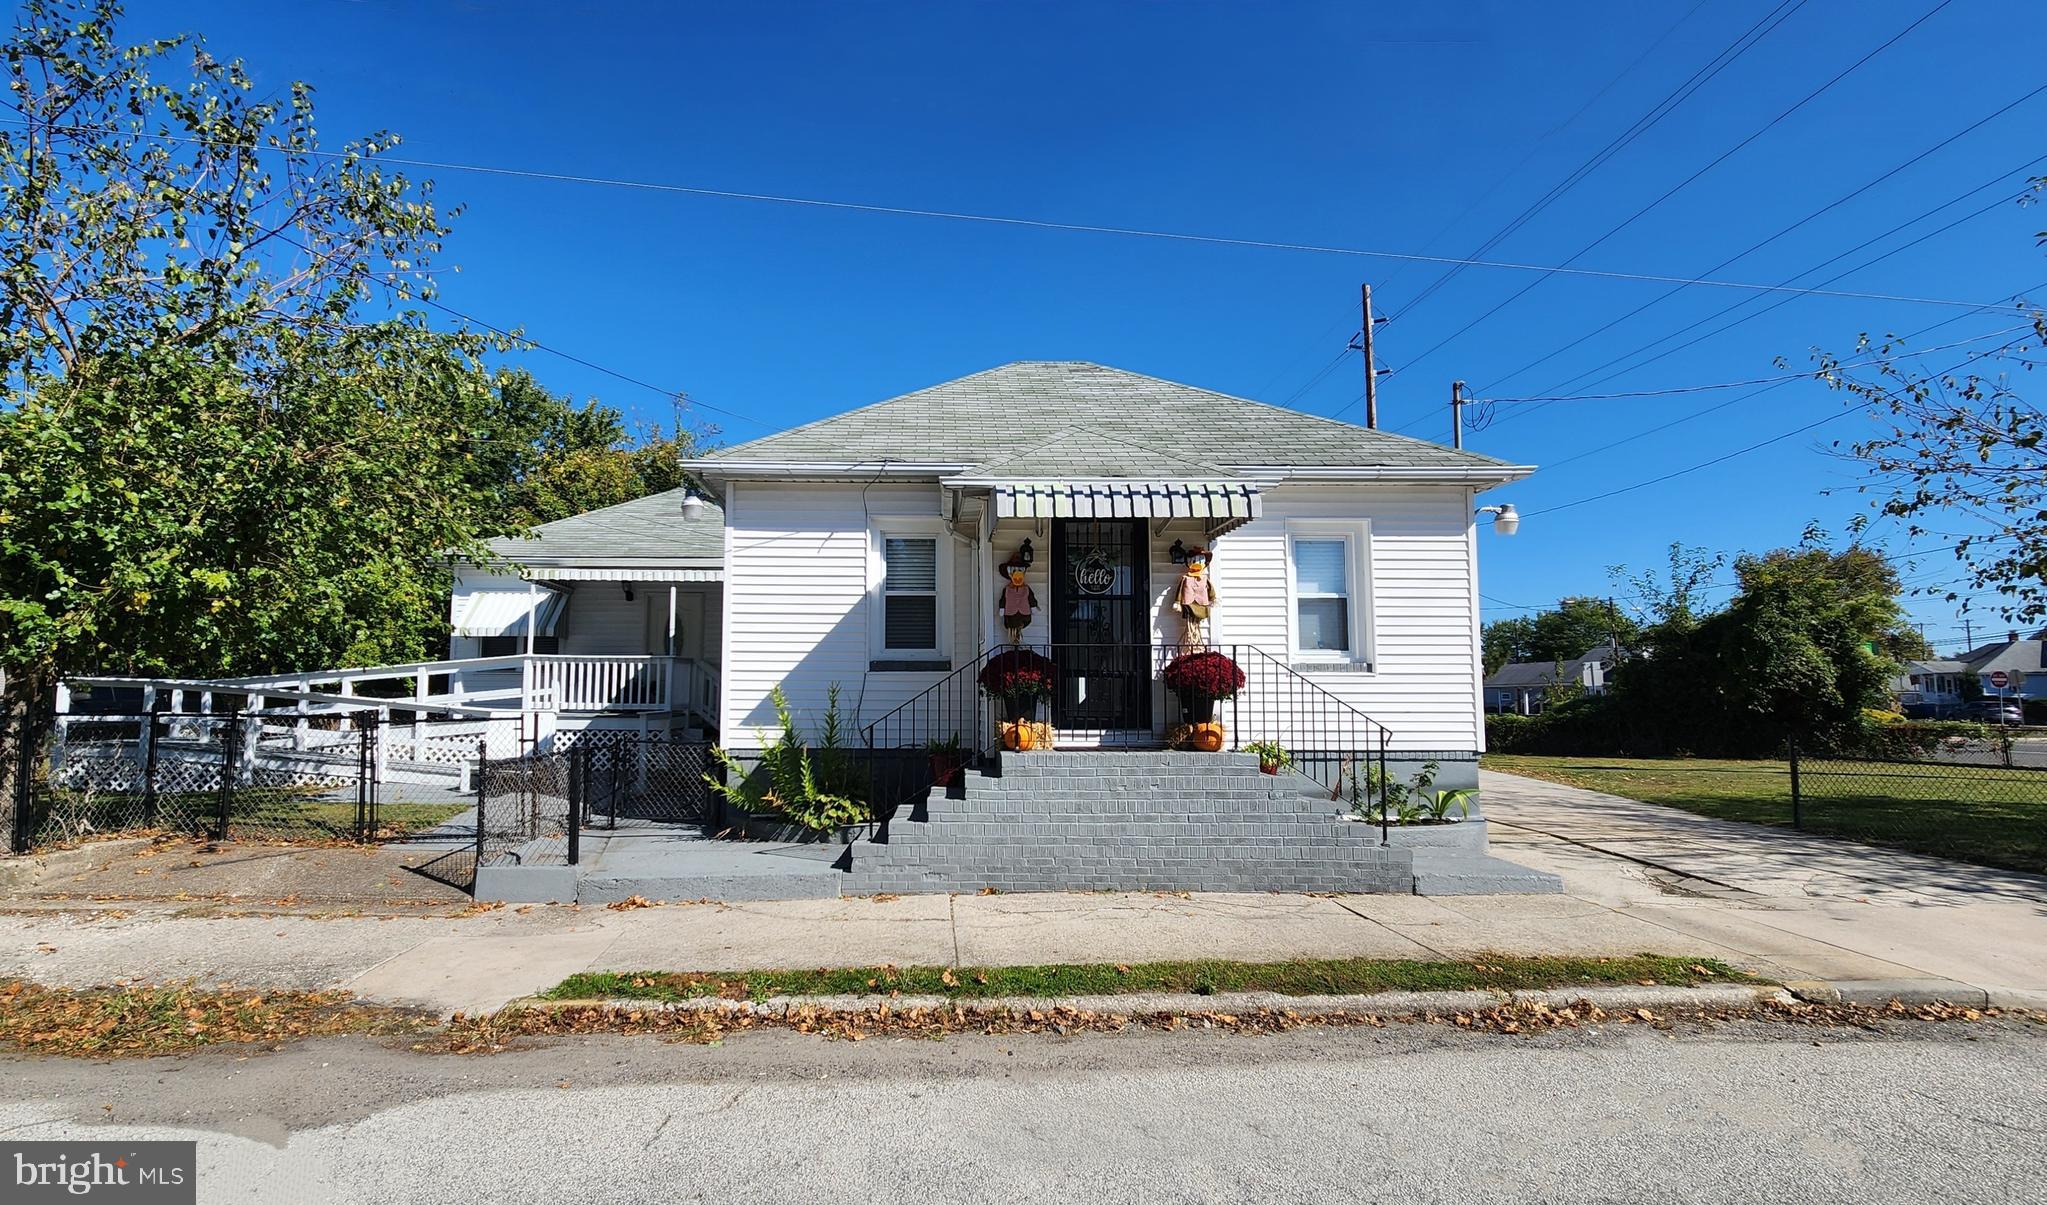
{"type": "Point", "coordinates": [1090, 228]}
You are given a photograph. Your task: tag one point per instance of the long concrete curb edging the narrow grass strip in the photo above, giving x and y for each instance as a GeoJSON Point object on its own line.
{"type": "Point", "coordinates": [1131, 1003]}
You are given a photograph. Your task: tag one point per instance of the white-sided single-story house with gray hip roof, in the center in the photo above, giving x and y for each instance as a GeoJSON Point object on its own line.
{"type": "Point", "coordinates": [863, 553]}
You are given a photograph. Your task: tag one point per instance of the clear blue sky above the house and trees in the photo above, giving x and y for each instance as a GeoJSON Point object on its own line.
{"type": "Point", "coordinates": [1373, 126]}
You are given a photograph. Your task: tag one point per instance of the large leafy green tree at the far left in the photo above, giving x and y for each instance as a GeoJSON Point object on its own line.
{"type": "Point", "coordinates": [220, 451]}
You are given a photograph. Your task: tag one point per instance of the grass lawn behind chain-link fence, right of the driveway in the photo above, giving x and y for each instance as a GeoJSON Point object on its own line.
{"type": "Point", "coordinates": [1970, 813]}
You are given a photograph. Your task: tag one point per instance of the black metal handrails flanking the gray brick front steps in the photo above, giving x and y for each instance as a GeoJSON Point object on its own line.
{"type": "Point", "coordinates": [1123, 686]}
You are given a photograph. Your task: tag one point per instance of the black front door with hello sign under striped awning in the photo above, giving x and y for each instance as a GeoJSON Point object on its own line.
{"type": "Point", "coordinates": [1102, 625]}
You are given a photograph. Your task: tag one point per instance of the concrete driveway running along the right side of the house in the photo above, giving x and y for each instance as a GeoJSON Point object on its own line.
{"type": "Point", "coordinates": [1811, 907]}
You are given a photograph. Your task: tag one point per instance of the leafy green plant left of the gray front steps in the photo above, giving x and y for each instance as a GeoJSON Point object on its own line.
{"type": "Point", "coordinates": [820, 789]}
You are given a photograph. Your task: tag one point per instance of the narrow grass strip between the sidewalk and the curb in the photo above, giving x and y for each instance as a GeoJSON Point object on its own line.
{"type": "Point", "coordinates": [1293, 979]}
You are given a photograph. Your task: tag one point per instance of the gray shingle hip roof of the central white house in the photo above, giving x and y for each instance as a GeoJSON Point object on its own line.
{"type": "Point", "coordinates": [992, 416]}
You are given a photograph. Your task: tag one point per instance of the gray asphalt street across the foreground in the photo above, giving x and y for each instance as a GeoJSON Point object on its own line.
{"type": "Point", "coordinates": [1405, 1114]}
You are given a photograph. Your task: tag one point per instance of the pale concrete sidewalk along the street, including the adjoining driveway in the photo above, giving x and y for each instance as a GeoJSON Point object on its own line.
{"type": "Point", "coordinates": [1639, 881]}
